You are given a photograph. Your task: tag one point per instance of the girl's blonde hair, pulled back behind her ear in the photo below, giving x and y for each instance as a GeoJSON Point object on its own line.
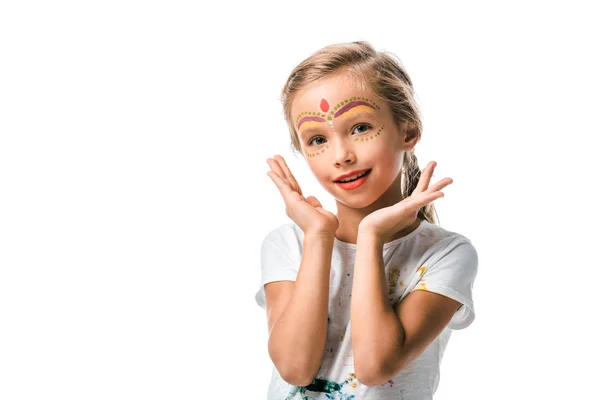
{"type": "Point", "coordinates": [385, 76]}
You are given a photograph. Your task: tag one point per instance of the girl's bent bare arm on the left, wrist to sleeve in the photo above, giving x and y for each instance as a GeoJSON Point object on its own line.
{"type": "Point", "coordinates": [298, 329]}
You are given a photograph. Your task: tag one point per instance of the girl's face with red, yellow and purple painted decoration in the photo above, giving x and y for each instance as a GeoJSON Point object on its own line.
{"type": "Point", "coordinates": [341, 129]}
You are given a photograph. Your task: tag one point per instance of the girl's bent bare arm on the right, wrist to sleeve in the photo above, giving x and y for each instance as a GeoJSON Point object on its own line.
{"type": "Point", "coordinates": [384, 339]}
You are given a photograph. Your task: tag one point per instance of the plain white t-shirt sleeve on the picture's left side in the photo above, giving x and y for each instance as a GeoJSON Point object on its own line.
{"type": "Point", "coordinates": [276, 265]}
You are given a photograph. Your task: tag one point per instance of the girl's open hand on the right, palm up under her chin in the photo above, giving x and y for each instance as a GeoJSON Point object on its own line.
{"type": "Point", "coordinates": [387, 221]}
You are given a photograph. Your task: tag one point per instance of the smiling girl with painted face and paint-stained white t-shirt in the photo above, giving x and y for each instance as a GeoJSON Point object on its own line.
{"type": "Point", "coordinates": [360, 304]}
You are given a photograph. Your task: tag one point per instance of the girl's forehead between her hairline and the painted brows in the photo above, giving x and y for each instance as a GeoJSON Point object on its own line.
{"type": "Point", "coordinates": [334, 90]}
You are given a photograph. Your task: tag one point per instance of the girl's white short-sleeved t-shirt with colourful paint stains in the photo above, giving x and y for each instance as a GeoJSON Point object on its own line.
{"type": "Point", "coordinates": [429, 258]}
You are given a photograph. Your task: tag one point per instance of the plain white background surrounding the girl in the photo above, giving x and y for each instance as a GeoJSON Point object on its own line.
{"type": "Point", "coordinates": [134, 196]}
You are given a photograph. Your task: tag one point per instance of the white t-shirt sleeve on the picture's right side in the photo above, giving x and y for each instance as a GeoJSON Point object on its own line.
{"type": "Point", "coordinates": [453, 275]}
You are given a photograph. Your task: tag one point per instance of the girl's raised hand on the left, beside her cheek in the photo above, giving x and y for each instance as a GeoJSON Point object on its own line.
{"type": "Point", "coordinates": [307, 213]}
